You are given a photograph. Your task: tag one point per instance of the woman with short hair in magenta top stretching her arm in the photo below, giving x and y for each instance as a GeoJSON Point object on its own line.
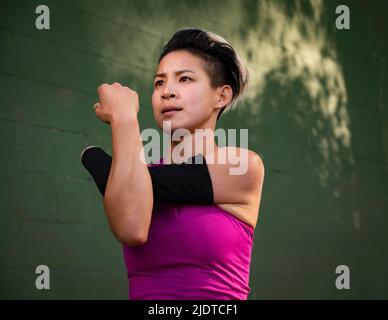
{"type": "Point", "coordinates": [172, 250]}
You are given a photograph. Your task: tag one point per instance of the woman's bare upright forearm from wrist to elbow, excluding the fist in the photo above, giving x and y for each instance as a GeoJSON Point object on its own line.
{"type": "Point", "coordinates": [128, 198]}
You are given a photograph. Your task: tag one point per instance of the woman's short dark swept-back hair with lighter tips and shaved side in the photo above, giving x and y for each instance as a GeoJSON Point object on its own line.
{"type": "Point", "coordinates": [222, 64]}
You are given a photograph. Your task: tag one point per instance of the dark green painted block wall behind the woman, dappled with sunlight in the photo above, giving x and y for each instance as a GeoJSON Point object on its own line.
{"type": "Point", "coordinates": [316, 111]}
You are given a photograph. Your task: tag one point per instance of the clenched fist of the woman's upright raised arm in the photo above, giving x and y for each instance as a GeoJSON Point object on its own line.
{"type": "Point", "coordinates": [117, 103]}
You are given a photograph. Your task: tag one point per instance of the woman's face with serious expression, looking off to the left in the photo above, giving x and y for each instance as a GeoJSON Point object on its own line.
{"type": "Point", "coordinates": [182, 82]}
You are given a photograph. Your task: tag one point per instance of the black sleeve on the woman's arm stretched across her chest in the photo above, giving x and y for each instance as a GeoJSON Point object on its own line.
{"type": "Point", "coordinates": [184, 183]}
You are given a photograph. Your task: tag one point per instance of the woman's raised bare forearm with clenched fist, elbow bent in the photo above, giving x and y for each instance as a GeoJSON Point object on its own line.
{"type": "Point", "coordinates": [128, 198]}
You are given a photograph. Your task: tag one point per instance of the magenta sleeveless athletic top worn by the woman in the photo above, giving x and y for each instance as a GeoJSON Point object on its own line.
{"type": "Point", "coordinates": [193, 252]}
